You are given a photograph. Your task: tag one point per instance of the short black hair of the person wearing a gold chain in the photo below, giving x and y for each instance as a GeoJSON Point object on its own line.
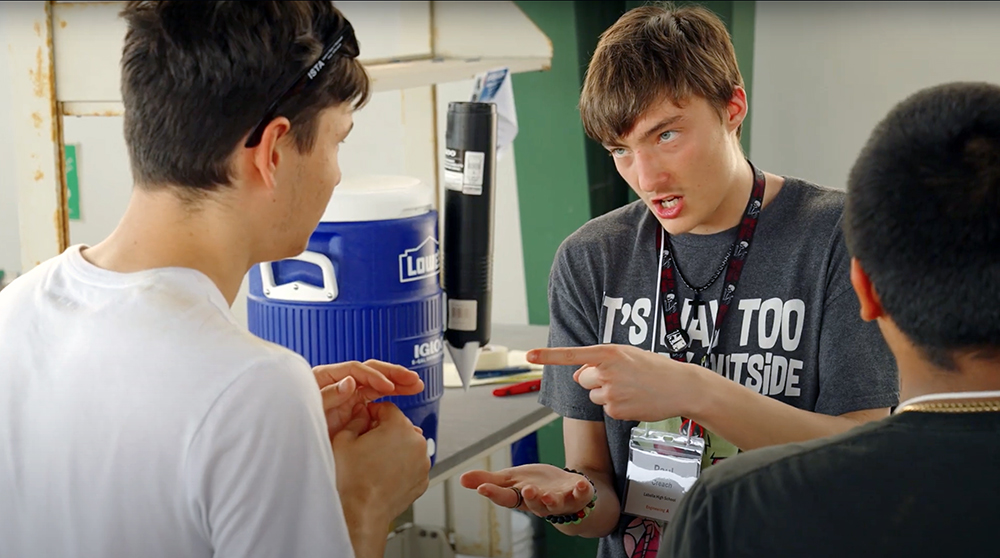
{"type": "Point", "coordinates": [923, 218]}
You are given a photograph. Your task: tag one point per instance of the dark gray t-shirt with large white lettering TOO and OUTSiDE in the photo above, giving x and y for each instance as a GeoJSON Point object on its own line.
{"type": "Point", "coordinates": [793, 331]}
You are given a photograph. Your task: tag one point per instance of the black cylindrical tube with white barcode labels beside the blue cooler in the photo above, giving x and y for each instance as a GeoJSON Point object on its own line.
{"type": "Point", "coordinates": [470, 182]}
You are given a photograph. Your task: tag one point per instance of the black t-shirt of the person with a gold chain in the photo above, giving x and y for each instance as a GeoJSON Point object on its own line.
{"type": "Point", "coordinates": [915, 484]}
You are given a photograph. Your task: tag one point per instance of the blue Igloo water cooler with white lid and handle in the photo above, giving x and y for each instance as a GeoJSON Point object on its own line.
{"type": "Point", "coordinates": [366, 287]}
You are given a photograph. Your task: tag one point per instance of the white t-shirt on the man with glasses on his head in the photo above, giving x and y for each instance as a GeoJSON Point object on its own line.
{"type": "Point", "coordinates": [138, 419]}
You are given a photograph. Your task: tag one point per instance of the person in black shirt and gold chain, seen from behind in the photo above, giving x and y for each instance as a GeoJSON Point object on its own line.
{"type": "Point", "coordinates": [922, 223]}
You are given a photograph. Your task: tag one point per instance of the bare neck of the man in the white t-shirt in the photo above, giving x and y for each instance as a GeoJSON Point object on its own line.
{"type": "Point", "coordinates": [159, 230]}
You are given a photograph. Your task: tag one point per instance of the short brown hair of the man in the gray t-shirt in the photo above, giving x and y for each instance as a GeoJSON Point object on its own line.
{"type": "Point", "coordinates": [655, 53]}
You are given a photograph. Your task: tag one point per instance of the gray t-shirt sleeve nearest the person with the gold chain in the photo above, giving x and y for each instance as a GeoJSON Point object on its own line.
{"type": "Point", "coordinates": [856, 369]}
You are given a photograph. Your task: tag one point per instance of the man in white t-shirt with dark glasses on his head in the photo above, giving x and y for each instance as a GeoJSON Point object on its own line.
{"type": "Point", "coordinates": [136, 417]}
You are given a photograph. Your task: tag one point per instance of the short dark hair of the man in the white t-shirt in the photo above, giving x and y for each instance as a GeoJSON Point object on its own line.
{"type": "Point", "coordinates": [198, 75]}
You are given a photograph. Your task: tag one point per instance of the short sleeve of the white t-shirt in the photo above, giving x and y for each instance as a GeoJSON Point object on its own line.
{"type": "Point", "coordinates": [260, 469]}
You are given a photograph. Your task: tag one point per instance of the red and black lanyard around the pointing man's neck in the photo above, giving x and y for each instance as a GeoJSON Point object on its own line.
{"type": "Point", "coordinates": [677, 339]}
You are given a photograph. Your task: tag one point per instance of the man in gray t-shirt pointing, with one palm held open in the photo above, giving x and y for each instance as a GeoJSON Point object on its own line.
{"type": "Point", "coordinates": [636, 296]}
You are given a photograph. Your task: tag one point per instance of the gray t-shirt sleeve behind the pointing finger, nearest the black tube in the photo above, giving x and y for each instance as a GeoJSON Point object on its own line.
{"type": "Point", "coordinates": [573, 322]}
